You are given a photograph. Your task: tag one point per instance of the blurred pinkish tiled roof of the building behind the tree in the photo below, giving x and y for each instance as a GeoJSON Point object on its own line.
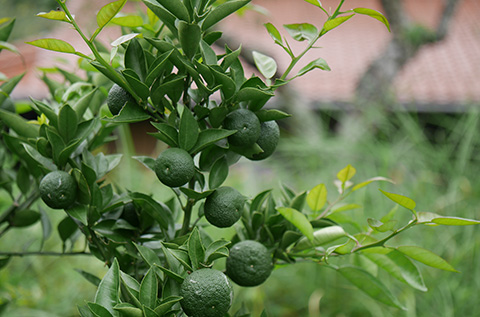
{"type": "Point", "coordinates": [442, 77]}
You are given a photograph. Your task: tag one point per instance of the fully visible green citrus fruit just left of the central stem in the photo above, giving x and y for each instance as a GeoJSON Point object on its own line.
{"type": "Point", "coordinates": [174, 167]}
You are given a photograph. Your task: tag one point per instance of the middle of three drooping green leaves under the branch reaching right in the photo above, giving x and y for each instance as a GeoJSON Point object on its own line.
{"type": "Point", "coordinates": [398, 266]}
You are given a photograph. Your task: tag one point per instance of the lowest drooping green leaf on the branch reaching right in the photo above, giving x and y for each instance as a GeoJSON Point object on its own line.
{"type": "Point", "coordinates": [369, 284]}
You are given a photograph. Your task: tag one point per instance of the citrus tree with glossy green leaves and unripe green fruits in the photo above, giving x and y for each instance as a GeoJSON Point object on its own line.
{"type": "Point", "coordinates": [164, 70]}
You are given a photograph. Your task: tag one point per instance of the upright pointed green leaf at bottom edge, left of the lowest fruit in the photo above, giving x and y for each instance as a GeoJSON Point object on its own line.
{"type": "Point", "coordinates": [107, 294]}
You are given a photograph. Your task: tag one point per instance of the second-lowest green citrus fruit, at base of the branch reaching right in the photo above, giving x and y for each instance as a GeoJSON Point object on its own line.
{"type": "Point", "coordinates": [249, 263]}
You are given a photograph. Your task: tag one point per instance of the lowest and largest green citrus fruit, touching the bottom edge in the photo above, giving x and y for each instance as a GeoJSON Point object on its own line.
{"type": "Point", "coordinates": [206, 293]}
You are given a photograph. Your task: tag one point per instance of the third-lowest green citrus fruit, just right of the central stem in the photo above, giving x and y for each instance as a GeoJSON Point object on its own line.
{"type": "Point", "coordinates": [224, 207]}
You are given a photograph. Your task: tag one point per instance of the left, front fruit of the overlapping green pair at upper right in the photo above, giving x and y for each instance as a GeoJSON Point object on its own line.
{"type": "Point", "coordinates": [247, 125]}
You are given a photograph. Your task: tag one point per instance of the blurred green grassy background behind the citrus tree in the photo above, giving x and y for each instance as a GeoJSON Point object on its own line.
{"type": "Point", "coordinates": [433, 158]}
